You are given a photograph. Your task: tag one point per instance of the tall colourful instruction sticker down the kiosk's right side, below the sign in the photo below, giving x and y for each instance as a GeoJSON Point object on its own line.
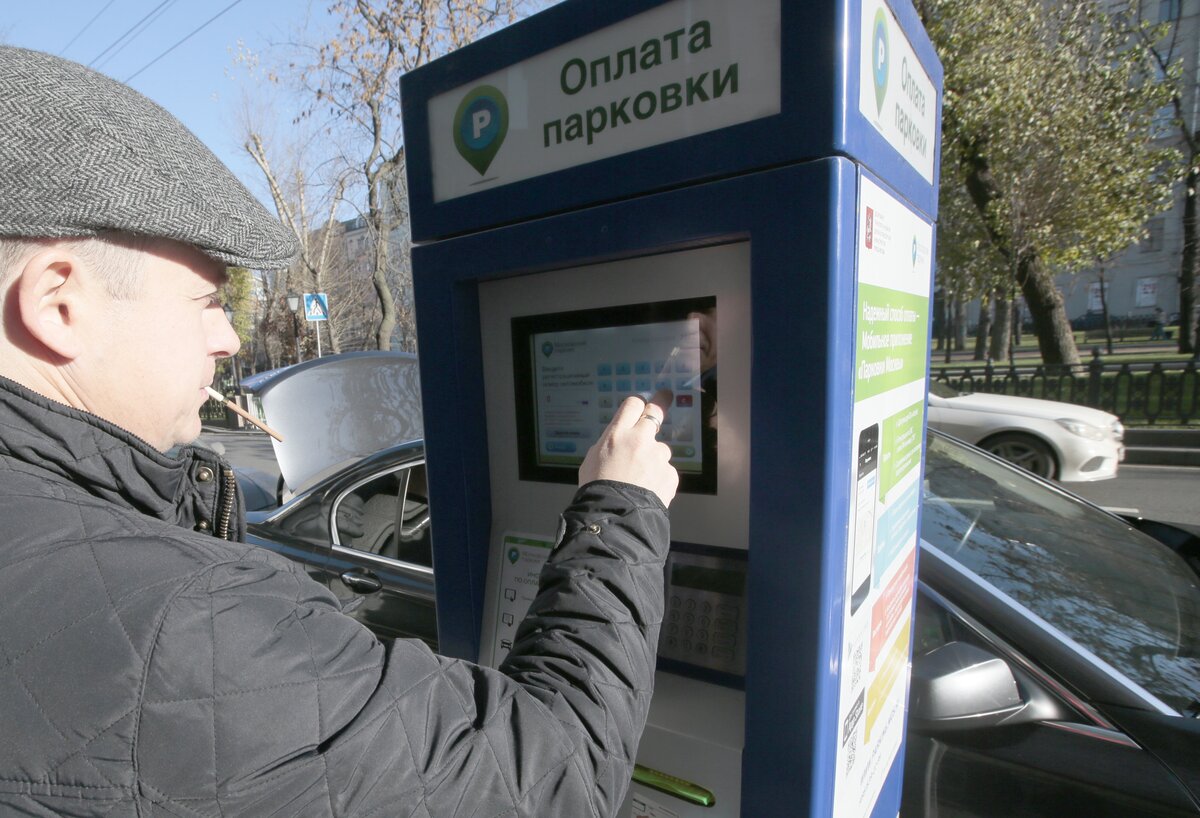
{"type": "Point", "coordinates": [895, 272]}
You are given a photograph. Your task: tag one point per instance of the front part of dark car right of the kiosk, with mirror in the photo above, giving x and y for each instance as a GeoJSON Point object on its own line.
{"type": "Point", "coordinates": [1057, 664]}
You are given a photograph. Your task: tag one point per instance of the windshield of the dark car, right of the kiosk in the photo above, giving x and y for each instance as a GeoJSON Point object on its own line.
{"type": "Point", "coordinates": [1127, 599]}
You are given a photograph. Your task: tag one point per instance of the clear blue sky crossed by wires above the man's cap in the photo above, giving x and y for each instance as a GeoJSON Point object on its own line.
{"type": "Point", "coordinates": [197, 81]}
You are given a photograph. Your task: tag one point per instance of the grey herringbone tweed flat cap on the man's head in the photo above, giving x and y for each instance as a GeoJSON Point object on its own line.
{"type": "Point", "coordinates": [82, 154]}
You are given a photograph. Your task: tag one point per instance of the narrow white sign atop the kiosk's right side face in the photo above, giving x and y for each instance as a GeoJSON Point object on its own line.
{"type": "Point", "coordinates": [895, 93]}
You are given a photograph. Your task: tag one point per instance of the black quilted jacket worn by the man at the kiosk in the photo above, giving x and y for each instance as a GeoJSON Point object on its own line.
{"type": "Point", "coordinates": [152, 669]}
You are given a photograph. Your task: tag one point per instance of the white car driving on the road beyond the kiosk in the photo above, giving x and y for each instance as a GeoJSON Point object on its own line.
{"type": "Point", "coordinates": [1058, 441]}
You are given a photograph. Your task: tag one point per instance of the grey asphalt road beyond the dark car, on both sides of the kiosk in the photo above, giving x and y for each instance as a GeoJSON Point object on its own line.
{"type": "Point", "coordinates": [1171, 495]}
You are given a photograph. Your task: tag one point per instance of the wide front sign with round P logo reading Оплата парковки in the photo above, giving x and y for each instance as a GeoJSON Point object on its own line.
{"type": "Point", "coordinates": [687, 68]}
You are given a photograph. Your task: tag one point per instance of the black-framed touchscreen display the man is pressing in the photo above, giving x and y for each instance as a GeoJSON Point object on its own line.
{"type": "Point", "coordinates": [573, 370]}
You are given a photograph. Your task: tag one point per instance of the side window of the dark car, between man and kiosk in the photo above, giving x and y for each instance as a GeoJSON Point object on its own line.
{"type": "Point", "coordinates": [388, 516]}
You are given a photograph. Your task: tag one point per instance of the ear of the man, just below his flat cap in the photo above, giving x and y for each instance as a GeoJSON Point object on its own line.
{"type": "Point", "coordinates": [52, 300]}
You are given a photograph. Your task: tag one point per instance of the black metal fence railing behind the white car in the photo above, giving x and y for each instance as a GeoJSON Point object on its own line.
{"type": "Point", "coordinates": [1150, 394]}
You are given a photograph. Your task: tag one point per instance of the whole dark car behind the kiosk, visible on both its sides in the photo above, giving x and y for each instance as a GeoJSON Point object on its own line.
{"type": "Point", "coordinates": [1057, 663]}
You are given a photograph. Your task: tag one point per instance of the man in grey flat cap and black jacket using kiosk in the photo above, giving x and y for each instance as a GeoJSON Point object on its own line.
{"type": "Point", "coordinates": [154, 665]}
